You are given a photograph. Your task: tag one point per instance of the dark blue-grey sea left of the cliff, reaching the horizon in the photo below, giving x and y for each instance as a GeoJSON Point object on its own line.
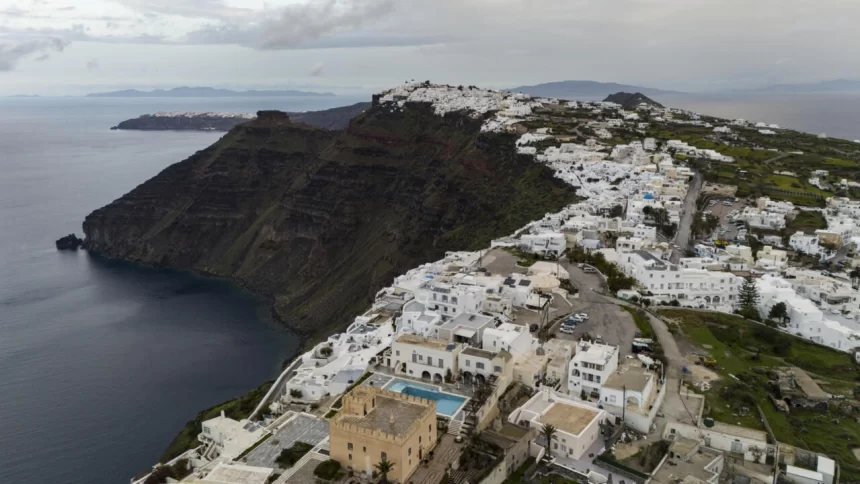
{"type": "Point", "coordinates": [103, 362]}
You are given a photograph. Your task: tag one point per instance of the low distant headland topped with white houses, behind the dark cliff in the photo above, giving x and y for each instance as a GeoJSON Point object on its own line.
{"type": "Point", "coordinates": [332, 119]}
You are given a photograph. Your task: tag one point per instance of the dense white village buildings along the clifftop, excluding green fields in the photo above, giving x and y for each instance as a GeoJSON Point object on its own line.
{"type": "Point", "coordinates": [498, 342]}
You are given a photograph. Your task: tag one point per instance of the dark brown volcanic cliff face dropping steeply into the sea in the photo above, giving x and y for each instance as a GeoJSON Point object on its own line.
{"type": "Point", "coordinates": [321, 220]}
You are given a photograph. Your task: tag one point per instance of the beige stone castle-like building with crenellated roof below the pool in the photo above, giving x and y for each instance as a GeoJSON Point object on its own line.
{"type": "Point", "coordinates": [376, 423]}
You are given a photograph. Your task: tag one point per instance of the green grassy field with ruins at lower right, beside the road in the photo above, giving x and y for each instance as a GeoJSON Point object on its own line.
{"type": "Point", "coordinates": [733, 342]}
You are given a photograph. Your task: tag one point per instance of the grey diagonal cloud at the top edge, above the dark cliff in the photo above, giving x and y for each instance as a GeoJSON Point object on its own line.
{"type": "Point", "coordinates": [298, 24]}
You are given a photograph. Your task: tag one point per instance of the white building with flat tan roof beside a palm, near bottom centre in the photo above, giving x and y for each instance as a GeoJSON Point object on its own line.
{"type": "Point", "coordinates": [577, 425]}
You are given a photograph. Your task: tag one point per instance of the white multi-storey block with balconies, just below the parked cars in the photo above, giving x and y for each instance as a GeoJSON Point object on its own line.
{"type": "Point", "coordinates": [591, 366]}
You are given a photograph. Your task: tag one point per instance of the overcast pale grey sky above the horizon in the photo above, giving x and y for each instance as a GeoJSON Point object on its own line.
{"type": "Point", "coordinates": [59, 47]}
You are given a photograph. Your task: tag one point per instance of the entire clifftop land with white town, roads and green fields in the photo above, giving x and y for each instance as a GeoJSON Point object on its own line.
{"type": "Point", "coordinates": [693, 317]}
